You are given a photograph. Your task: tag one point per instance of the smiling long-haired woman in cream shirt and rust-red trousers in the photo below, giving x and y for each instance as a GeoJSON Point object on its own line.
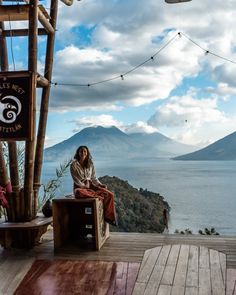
{"type": "Point", "coordinates": [87, 185]}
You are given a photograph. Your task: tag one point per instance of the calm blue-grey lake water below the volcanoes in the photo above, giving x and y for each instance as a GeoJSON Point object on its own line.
{"type": "Point", "coordinates": [201, 193]}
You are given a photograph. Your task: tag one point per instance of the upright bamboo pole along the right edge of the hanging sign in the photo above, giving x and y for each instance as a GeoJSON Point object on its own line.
{"type": "Point", "coordinates": [30, 144]}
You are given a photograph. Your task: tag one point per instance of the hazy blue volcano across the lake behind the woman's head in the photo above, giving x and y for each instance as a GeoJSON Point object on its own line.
{"type": "Point", "coordinates": [111, 142]}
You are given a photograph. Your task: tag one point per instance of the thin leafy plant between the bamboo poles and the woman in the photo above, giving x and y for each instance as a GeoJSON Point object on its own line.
{"type": "Point", "coordinates": [50, 189]}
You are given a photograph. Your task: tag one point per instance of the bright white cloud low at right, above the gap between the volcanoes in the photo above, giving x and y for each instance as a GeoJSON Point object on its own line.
{"type": "Point", "coordinates": [193, 121]}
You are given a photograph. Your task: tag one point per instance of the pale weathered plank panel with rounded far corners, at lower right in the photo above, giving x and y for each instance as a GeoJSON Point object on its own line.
{"type": "Point", "coordinates": [181, 269]}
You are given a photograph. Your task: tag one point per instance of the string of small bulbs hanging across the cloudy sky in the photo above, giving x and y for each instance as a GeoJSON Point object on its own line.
{"type": "Point", "coordinates": [180, 34]}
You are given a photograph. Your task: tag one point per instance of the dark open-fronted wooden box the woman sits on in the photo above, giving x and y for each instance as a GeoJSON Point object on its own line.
{"type": "Point", "coordinates": [79, 222]}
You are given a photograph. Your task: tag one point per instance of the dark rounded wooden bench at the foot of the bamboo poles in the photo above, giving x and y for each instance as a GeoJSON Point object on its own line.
{"type": "Point", "coordinates": [23, 234]}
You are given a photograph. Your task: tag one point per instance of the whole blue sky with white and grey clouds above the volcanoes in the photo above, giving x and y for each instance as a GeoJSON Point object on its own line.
{"type": "Point", "coordinates": [181, 90]}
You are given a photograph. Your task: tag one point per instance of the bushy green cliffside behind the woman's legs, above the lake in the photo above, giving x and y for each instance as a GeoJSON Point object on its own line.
{"type": "Point", "coordinates": [138, 210]}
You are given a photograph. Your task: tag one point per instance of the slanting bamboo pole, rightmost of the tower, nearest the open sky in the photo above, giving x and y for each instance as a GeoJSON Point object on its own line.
{"type": "Point", "coordinates": [44, 102]}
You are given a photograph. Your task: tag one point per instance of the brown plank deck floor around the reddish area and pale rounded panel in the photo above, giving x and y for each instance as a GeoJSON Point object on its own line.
{"type": "Point", "coordinates": [120, 247]}
